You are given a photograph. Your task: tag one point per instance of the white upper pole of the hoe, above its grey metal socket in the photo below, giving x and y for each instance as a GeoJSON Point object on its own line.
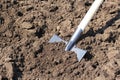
{"type": "Point", "coordinates": [90, 14]}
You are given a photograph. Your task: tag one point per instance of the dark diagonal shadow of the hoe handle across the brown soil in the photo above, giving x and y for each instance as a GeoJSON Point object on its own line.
{"type": "Point", "coordinates": [101, 30]}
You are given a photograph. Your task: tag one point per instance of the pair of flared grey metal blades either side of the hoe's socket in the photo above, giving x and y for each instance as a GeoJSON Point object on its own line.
{"type": "Point", "coordinates": [80, 53]}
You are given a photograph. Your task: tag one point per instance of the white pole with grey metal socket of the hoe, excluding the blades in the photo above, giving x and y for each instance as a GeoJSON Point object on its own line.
{"type": "Point", "coordinates": [83, 24]}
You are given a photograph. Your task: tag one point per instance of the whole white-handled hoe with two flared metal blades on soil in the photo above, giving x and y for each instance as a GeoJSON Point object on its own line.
{"type": "Point", "coordinates": [71, 44]}
